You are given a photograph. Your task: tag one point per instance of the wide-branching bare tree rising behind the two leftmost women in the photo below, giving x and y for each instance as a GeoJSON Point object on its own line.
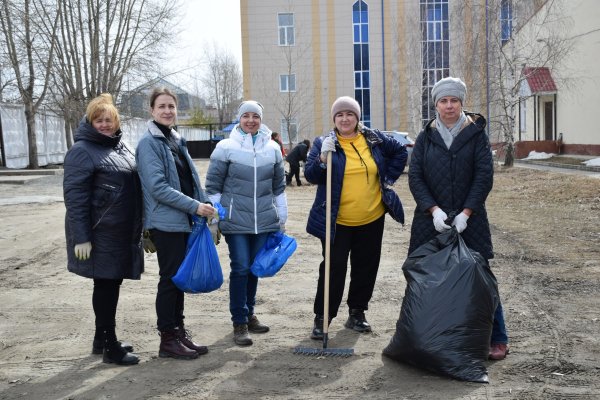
{"type": "Point", "coordinates": [101, 42]}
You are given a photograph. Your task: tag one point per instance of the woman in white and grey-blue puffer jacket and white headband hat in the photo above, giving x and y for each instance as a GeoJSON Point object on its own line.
{"type": "Point", "coordinates": [247, 177]}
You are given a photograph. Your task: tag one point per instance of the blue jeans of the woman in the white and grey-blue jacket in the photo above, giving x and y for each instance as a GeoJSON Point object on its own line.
{"type": "Point", "coordinates": [242, 283]}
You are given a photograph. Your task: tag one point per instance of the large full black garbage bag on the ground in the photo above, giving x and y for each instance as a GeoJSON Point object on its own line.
{"type": "Point", "coordinates": [447, 312]}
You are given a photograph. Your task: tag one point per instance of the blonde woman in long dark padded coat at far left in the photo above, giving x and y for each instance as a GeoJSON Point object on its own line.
{"type": "Point", "coordinates": [103, 222]}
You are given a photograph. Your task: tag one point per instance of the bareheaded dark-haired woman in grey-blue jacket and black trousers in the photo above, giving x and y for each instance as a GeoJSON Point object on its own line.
{"type": "Point", "coordinates": [172, 194]}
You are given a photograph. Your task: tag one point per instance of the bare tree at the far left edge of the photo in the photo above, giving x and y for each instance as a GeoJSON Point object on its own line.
{"type": "Point", "coordinates": [29, 29]}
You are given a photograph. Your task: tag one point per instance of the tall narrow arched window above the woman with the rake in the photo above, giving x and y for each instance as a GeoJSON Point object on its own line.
{"type": "Point", "coordinates": [362, 81]}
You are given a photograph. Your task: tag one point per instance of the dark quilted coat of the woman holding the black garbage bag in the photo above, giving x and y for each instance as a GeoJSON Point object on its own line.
{"type": "Point", "coordinates": [453, 179]}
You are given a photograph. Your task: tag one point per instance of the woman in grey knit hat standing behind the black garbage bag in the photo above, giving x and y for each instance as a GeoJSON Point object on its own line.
{"type": "Point", "coordinates": [451, 170]}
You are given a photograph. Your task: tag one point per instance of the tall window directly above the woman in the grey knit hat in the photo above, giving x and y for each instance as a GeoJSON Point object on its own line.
{"type": "Point", "coordinates": [435, 51]}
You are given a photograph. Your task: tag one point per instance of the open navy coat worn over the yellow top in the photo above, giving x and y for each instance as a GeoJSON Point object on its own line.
{"type": "Point", "coordinates": [390, 158]}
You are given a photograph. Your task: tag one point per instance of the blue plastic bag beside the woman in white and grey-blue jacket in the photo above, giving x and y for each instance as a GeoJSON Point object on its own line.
{"type": "Point", "coordinates": [273, 255]}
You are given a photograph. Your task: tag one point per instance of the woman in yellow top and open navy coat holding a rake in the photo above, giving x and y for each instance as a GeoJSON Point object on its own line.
{"type": "Point", "coordinates": [365, 163]}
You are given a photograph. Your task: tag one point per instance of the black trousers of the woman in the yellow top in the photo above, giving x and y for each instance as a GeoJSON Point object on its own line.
{"type": "Point", "coordinates": [363, 245]}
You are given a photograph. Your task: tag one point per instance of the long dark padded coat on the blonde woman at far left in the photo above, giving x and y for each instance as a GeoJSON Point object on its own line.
{"type": "Point", "coordinates": [103, 199]}
